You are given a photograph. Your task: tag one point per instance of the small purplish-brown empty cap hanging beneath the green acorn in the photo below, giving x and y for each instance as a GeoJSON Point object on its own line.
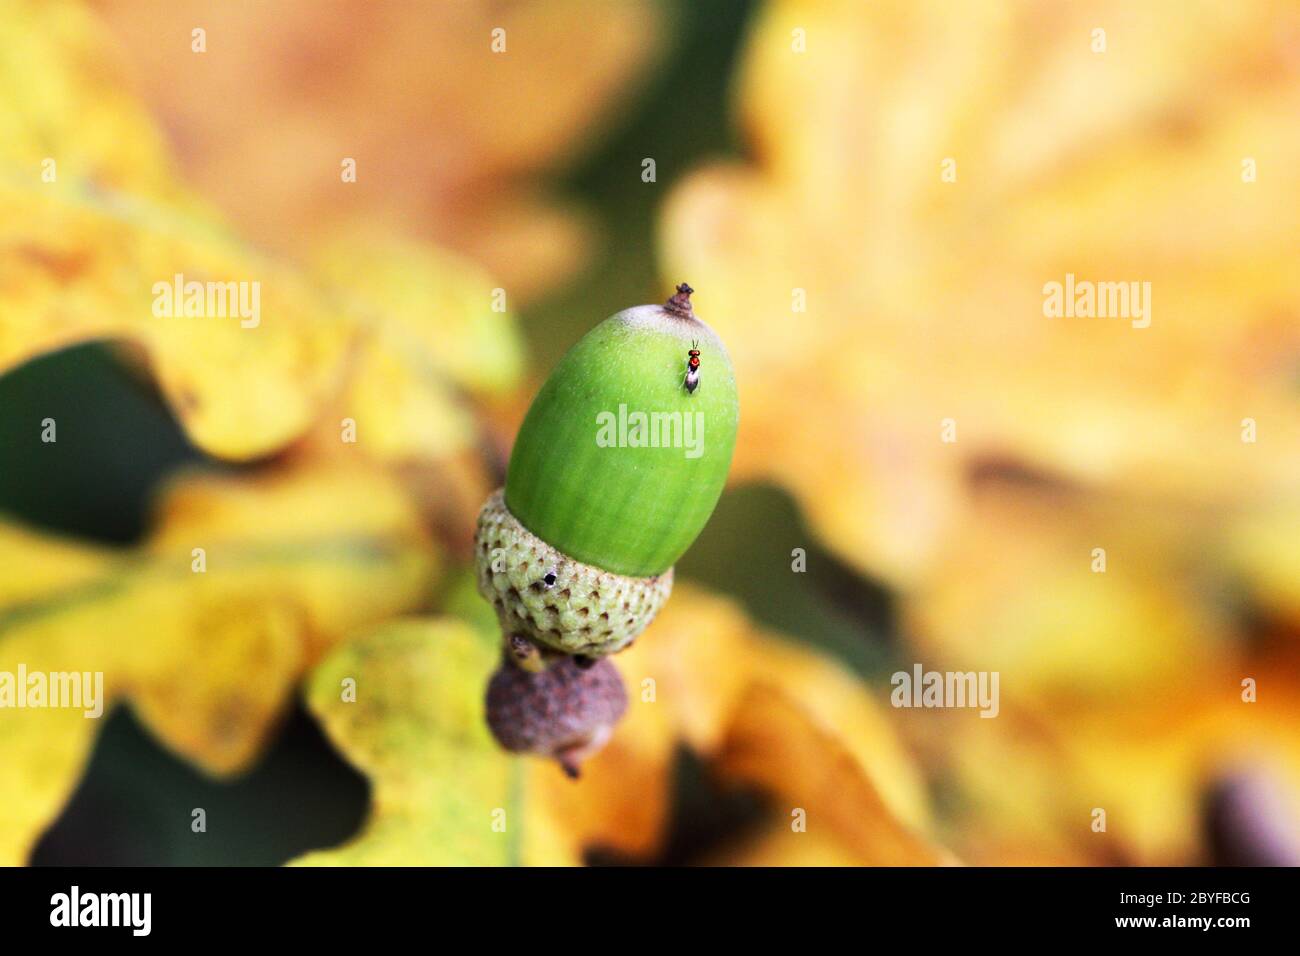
{"type": "Point", "coordinates": [566, 712]}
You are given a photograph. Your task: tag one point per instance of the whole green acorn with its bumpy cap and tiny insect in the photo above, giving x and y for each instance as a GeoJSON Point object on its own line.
{"type": "Point", "coordinates": [616, 471]}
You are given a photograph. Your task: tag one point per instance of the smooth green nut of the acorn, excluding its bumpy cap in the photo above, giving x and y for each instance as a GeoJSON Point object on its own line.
{"type": "Point", "coordinates": [617, 465]}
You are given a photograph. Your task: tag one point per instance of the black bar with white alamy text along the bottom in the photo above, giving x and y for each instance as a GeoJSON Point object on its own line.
{"type": "Point", "coordinates": [219, 906]}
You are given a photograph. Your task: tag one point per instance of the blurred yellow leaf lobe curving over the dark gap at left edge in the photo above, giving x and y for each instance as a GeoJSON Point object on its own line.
{"type": "Point", "coordinates": [77, 266]}
